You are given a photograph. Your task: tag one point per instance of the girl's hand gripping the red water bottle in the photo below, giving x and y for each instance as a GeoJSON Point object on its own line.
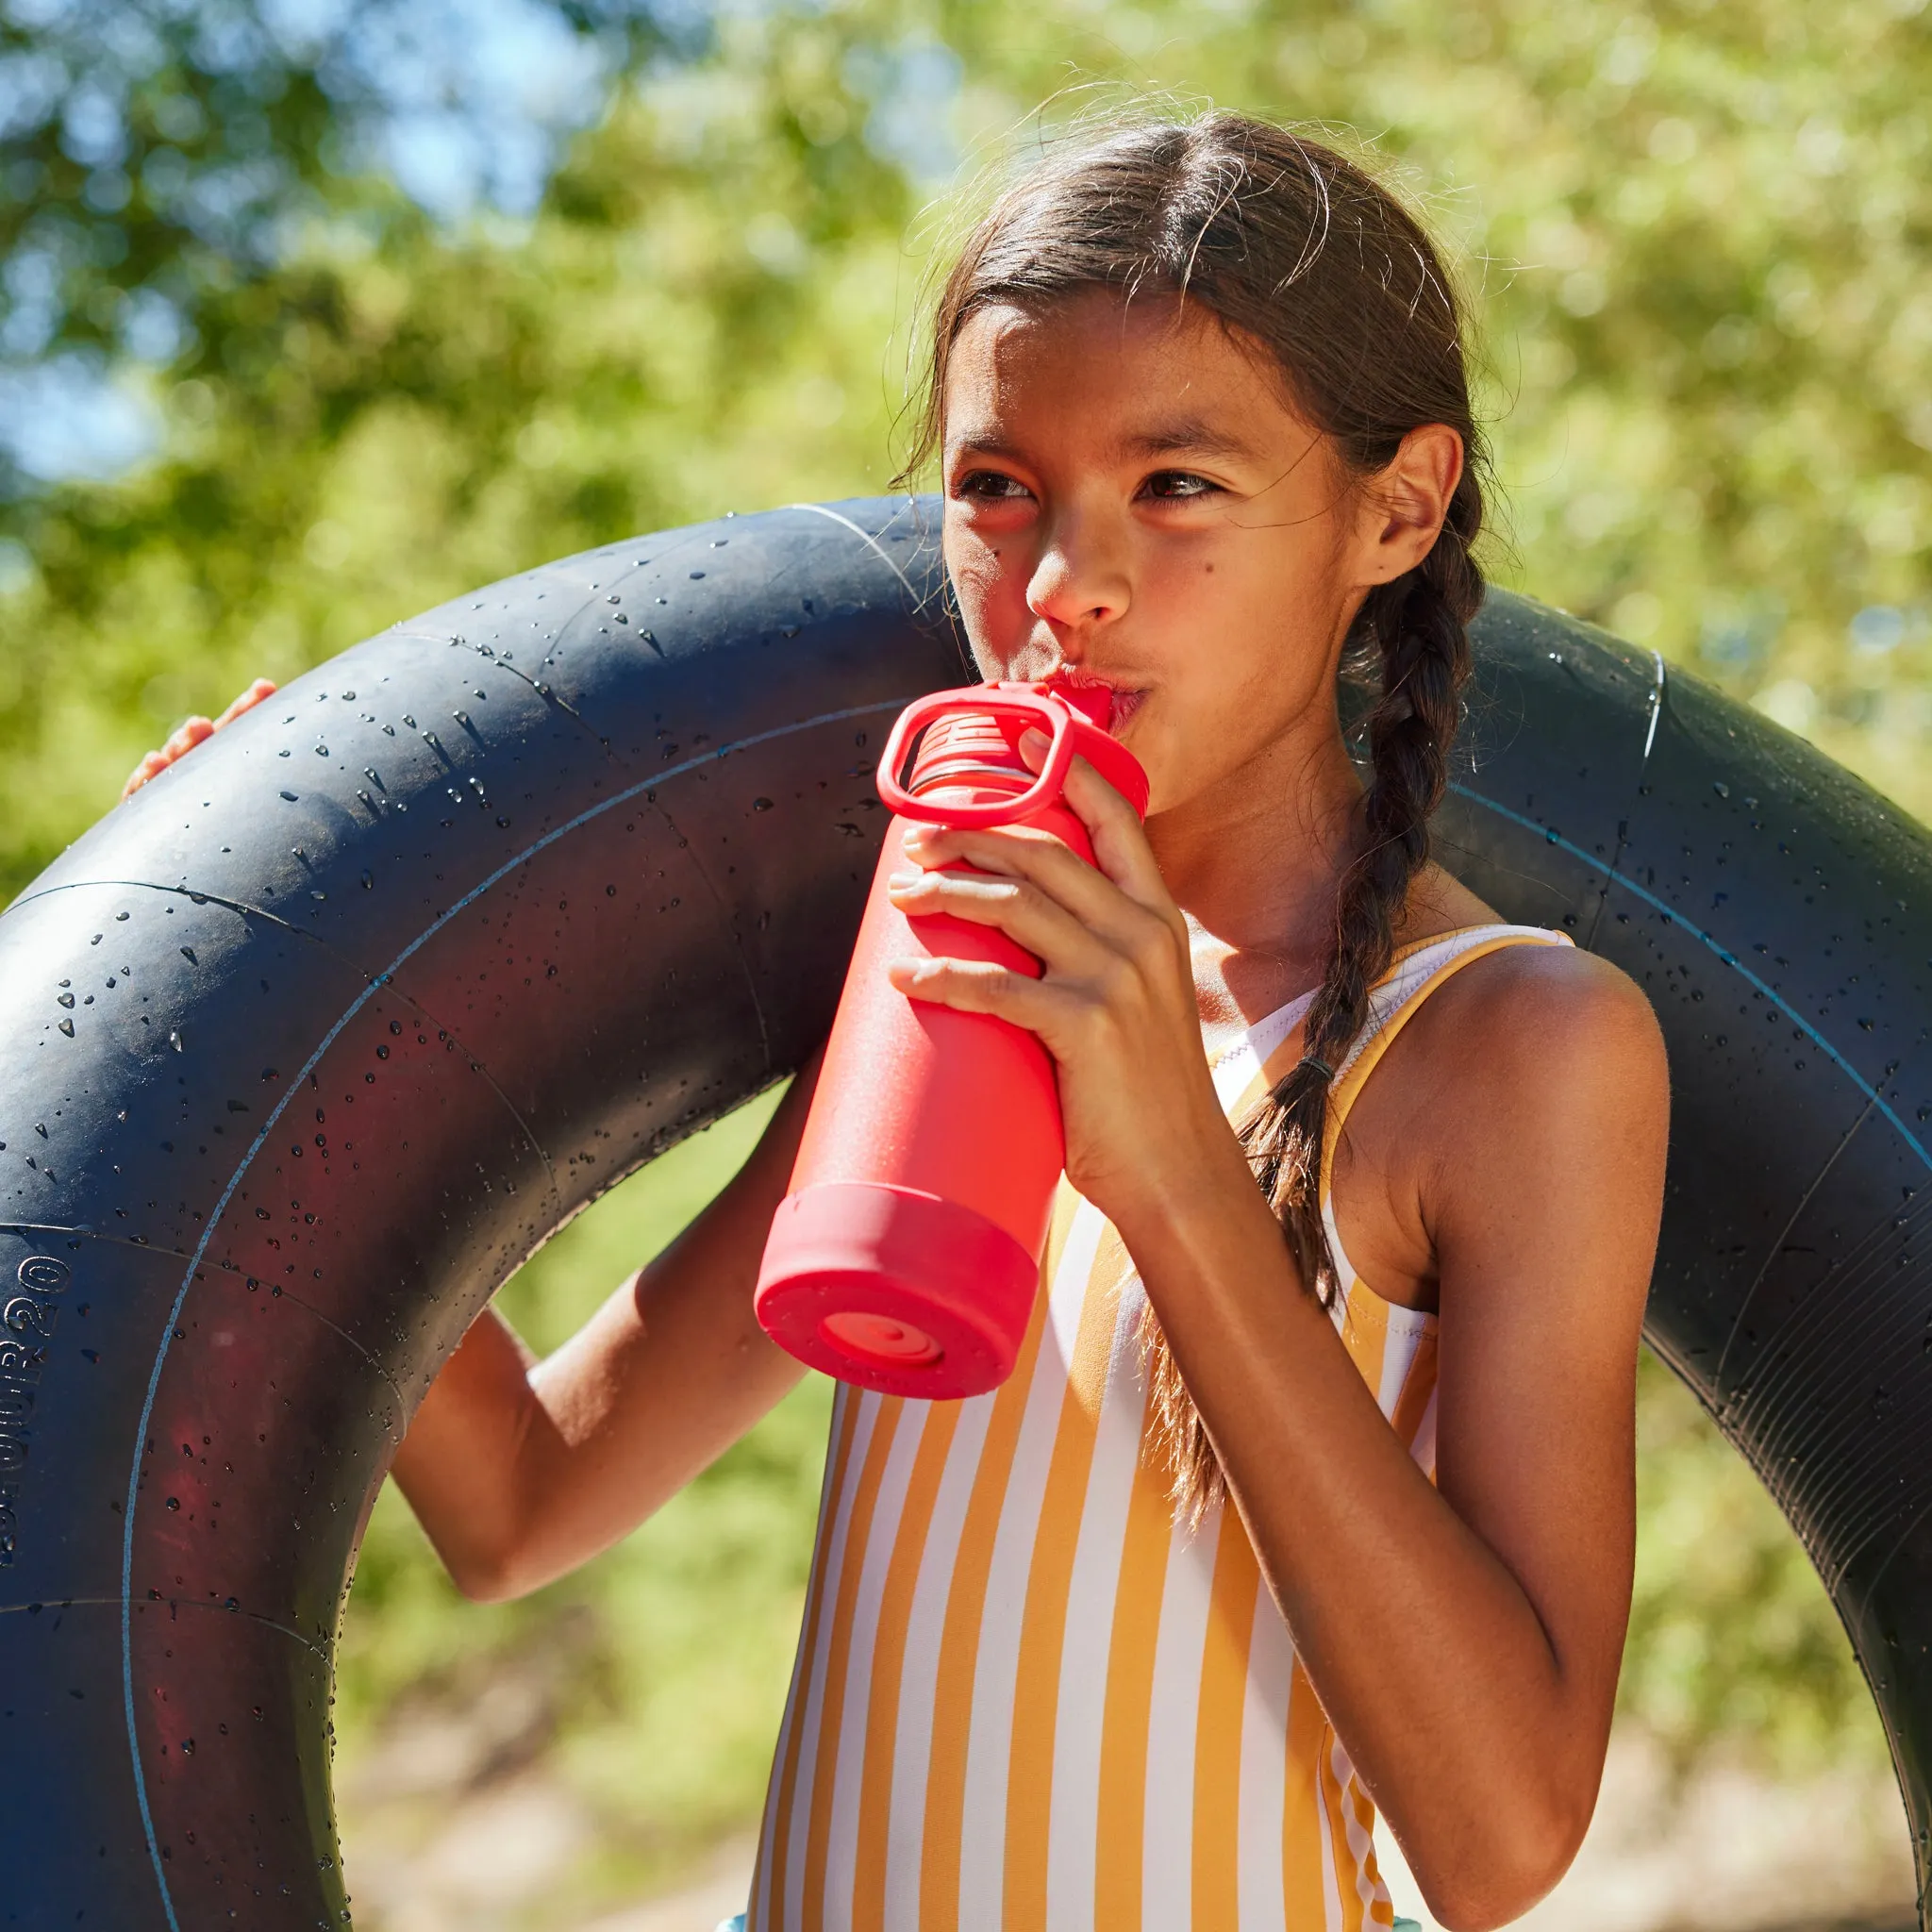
{"type": "Point", "coordinates": [1116, 1002]}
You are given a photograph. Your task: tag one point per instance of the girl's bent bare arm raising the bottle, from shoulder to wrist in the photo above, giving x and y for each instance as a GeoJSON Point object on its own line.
{"type": "Point", "coordinates": [1463, 1637]}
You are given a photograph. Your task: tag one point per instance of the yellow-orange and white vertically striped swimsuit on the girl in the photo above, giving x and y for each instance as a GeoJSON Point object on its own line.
{"type": "Point", "coordinates": [1023, 1697]}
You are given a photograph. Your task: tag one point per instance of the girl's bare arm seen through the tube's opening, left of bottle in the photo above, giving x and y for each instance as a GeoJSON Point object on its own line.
{"type": "Point", "coordinates": [521, 1469]}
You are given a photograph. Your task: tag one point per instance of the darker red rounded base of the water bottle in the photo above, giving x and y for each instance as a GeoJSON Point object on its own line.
{"type": "Point", "coordinates": [895, 1290]}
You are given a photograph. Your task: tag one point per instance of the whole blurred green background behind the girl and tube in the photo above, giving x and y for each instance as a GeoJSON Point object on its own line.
{"type": "Point", "coordinates": [318, 312]}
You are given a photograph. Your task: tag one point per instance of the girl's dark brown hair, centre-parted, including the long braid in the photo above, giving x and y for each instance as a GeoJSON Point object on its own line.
{"type": "Point", "coordinates": [1303, 252]}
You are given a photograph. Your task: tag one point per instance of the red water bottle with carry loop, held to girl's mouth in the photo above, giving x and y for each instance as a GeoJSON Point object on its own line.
{"type": "Point", "coordinates": [907, 1253]}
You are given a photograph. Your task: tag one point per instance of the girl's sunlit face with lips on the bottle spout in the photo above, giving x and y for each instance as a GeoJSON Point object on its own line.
{"type": "Point", "coordinates": [1133, 501]}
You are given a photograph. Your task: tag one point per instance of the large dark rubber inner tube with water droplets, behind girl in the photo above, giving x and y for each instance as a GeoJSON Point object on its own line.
{"type": "Point", "coordinates": [314, 1040]}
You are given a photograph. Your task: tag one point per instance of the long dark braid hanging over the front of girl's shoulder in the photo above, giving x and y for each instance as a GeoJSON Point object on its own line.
{"type": "Point", "coordinates": [1417, 625]}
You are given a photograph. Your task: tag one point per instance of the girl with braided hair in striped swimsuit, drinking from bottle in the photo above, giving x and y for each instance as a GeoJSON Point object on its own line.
{"type": "Point", "coordinates": [1313, 1494]}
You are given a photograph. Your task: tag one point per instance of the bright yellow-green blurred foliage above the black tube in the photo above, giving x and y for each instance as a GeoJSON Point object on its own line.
{"type": "Point", "coordinates": [1697, 241]}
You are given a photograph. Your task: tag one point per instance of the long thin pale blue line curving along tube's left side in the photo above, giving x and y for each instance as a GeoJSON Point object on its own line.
{"type": "Point", "coordinates": [175, 1315]}
